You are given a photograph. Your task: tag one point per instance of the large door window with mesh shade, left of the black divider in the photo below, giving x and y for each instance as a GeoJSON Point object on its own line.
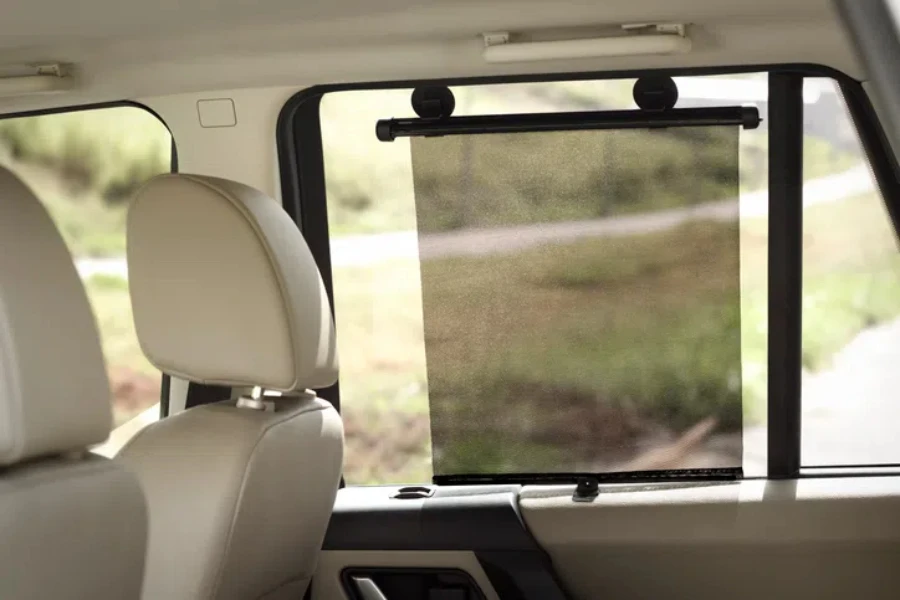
{"type": "Point", "coordinates": [669, 409]}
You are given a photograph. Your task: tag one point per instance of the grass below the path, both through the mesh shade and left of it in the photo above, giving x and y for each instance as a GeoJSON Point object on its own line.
{"type": "Point", "coordinates": [383, 359]}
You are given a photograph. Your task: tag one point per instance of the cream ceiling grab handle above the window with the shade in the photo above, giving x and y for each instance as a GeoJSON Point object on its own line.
{"type": "Point", "coordinates": [635, 40]}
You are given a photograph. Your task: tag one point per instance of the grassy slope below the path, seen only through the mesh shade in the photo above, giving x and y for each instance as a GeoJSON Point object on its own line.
{"type": "Point", "coordinates": [647, 332]}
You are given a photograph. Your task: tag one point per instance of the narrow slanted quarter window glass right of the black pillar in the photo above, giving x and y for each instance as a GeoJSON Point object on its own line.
{"type": "Point", "coordinates": [851, 298]}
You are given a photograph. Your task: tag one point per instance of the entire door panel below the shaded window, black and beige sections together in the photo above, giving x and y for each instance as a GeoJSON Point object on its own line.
{"type": "Point", "coordinates": [809, 539]}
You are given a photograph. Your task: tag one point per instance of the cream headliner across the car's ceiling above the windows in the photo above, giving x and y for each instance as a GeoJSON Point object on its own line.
{"type": "Point", "coordinates": [124, 48]}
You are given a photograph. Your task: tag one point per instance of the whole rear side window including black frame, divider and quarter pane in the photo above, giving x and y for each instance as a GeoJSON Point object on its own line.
{"type": "Point", "coordinates": [389, 211]}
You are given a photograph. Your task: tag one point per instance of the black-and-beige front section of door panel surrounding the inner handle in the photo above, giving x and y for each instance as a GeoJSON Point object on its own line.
{"type": "Point", "coordinates": [476, 529]}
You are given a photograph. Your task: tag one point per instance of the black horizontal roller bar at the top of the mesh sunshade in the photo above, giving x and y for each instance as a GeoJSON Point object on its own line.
{"type": "Point", "coordinates": [747, 117]}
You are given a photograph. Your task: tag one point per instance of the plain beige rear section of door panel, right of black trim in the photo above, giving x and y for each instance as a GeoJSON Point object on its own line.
{"type": "Point", "coordinates": [809, 539]}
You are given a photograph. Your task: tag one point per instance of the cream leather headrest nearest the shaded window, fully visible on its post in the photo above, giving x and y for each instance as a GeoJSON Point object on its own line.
{"type": "Point", "coordinates": [224, 289]}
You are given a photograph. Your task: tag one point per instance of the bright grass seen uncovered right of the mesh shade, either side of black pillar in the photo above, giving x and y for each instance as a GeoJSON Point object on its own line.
{"type": "Point", "coordinates": [851, 281]}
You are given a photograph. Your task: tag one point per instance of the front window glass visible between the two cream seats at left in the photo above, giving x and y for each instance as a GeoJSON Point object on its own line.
{"type": "Point", "coordinates": [83, 166]}
